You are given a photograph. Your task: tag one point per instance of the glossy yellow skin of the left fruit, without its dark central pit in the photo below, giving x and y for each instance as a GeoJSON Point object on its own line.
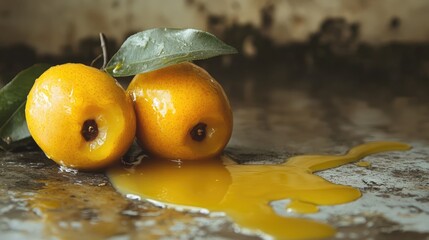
{"type": "Point", "coordinates": [59, 103]}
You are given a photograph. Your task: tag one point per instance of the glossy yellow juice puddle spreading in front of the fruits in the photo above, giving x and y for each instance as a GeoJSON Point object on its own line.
{"type": "Point", "coordinates": [244, 192]}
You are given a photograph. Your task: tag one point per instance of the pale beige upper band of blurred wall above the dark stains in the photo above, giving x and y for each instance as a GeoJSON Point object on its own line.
{"type": "Point", "coordinates": [51, 26]}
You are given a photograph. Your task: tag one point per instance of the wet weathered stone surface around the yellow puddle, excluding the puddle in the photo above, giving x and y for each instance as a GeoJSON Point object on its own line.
{"type": "Point", "coordinates": [276, 115]}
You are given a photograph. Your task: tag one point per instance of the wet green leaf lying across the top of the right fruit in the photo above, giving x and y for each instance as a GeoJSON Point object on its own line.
{"type": "Point", "coordinates": [160, 47]}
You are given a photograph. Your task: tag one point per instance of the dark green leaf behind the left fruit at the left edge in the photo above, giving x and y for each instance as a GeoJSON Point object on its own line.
{"type": "Point", "coordinates": [13, 127]}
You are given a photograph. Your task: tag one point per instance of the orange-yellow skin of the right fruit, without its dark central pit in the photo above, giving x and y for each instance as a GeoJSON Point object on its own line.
{"type": "Point", "coordinates": [170, 102]}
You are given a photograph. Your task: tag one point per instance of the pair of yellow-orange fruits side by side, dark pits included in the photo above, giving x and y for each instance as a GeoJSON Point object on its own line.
{"type": "Point", "coordinates": [82, 118]}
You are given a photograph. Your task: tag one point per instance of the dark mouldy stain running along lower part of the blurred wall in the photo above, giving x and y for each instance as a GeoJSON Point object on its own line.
{"type": "Point", "coordinates": [335, 47]}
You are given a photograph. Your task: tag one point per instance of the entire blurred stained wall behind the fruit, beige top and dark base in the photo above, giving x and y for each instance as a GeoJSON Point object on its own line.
{"type": "Point", "coordinates": [381, 39]}
